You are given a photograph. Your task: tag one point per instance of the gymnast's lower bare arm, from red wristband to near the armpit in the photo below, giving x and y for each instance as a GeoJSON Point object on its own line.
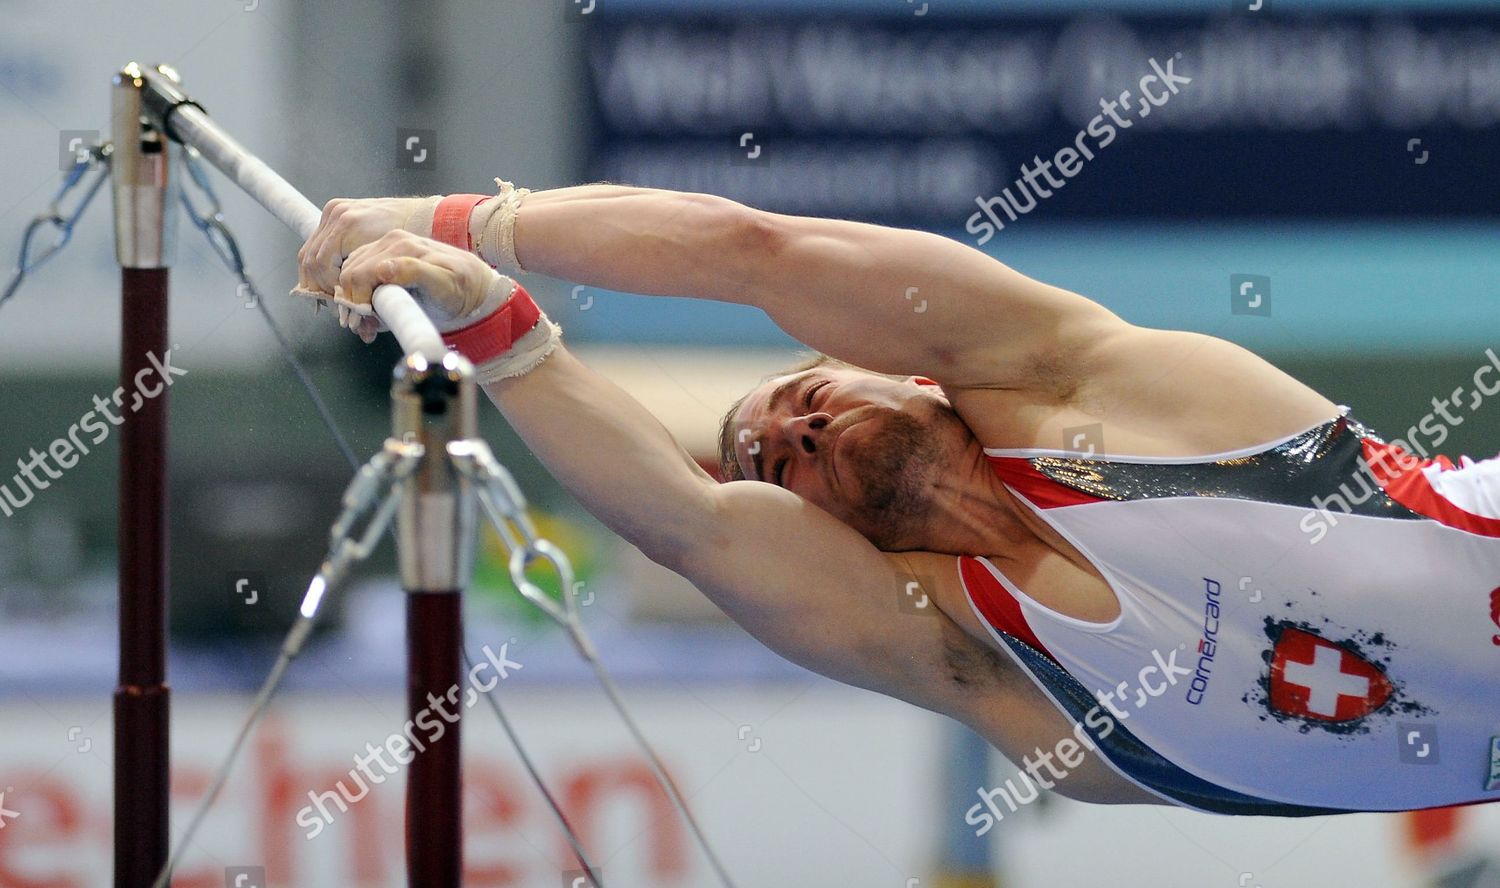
{"type": "Point", "coordinates": [805, 584]}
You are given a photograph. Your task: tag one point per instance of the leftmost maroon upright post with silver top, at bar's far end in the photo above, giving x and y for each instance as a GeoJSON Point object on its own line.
{"type": "Point", "coordinates": [140, 169]}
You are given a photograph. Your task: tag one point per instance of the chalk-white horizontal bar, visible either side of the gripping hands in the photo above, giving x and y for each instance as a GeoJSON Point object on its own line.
{"type": "Point", "coordinates": [395, 307]}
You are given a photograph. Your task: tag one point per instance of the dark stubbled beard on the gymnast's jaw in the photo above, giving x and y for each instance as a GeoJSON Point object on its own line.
{"type": "Point", "coordinates": [895, 470]}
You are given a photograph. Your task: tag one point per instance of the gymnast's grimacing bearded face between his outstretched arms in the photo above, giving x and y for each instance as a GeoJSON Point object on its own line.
{"type": "Point", "coordinates": [860, 446]}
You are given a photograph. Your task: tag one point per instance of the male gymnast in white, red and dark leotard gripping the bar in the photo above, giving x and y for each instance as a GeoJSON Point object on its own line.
{"type": "Point", "coordinates": [1247, 604]}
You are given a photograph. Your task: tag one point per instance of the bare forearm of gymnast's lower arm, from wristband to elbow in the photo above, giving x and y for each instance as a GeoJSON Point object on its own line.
{"type": "Point", "coordinates": [610, 452]}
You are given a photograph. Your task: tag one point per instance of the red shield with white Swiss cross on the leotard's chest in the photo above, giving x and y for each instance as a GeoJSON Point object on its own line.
{"type": "Point", "coordinates": [1316, 679]}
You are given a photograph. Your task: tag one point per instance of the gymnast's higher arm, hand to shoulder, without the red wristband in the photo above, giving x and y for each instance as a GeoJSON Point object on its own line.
{"type": "Point", "coordinates": [887, 299]}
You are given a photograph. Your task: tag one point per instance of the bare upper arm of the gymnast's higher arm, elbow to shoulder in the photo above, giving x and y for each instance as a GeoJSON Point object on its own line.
{"type": "Point", "coordinates": [911, 302]}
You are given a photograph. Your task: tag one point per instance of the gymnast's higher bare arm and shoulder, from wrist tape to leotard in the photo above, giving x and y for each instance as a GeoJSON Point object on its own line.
{"type": "Point", "coordinates": [916, 304]}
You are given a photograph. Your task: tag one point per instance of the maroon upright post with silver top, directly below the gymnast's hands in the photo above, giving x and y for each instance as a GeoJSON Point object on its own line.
{"type": "Point", "coordinates": [434, 406]}
